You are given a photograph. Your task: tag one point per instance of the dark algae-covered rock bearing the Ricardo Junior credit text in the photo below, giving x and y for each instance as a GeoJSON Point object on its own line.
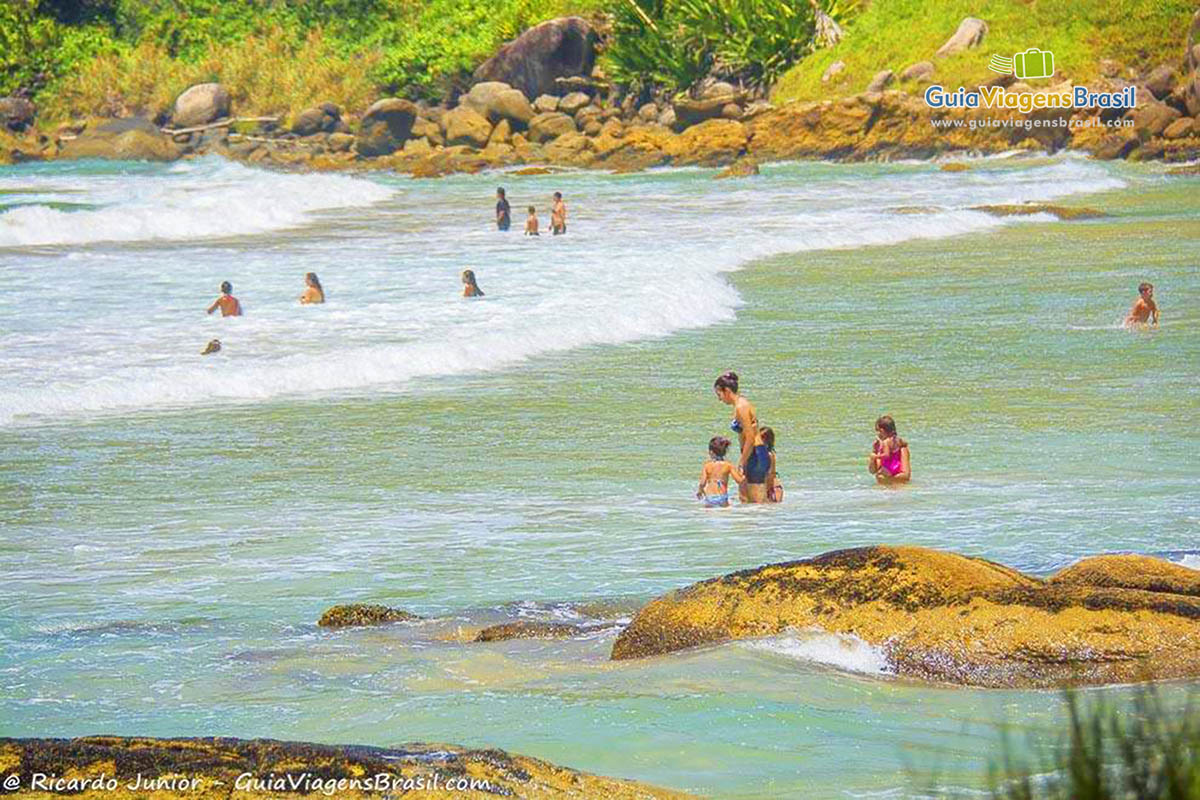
{"type": "Point", "coordinates": [212, 769]}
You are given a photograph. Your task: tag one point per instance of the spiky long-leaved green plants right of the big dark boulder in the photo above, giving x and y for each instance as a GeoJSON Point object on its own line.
{"type": "Point", "coordinates": [679, 43]}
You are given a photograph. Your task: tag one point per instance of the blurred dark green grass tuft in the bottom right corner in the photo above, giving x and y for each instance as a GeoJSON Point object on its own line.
{"type": "Point", "coordinates": [1145, 751]}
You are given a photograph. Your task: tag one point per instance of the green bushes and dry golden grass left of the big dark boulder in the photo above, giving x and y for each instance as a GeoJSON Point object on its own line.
{"type": "Point", "coordinates": [104, 57]}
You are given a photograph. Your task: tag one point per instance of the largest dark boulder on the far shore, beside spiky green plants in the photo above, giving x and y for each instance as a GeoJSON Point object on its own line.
{"type": "Point", "coordinates": [559, 49]}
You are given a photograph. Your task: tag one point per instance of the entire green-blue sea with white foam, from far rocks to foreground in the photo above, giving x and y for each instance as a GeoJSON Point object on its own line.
{"type": "Point", "coordinates": [173, 526]}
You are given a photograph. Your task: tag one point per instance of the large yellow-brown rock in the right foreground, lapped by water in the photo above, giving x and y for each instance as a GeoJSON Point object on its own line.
{"type": "Point", "coordinates": [943, 617]}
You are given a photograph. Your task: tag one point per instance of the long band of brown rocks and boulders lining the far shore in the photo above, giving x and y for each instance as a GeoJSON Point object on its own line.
{"type": "Point", "coordinates": [531, 109]}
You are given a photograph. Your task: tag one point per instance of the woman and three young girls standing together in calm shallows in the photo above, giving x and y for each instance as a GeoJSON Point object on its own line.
{"type": "Point", "coordinates": [757, 471]}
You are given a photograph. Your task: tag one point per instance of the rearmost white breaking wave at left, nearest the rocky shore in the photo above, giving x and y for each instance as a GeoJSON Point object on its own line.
{"type": "Point", "coordinates": [202, 200]}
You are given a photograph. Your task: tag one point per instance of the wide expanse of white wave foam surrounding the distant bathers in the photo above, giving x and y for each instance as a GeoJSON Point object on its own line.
{"type": "Point", "coordinates": [111, 328]}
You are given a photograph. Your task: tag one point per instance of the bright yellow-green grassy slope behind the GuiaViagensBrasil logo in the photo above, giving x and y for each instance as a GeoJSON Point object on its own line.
{"type": "Point", "coordinates": [896, 34]}
